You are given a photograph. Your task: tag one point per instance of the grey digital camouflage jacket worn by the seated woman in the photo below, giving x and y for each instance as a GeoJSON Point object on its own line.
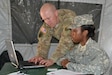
{"type": "Point", "coordinates": [89, 59]}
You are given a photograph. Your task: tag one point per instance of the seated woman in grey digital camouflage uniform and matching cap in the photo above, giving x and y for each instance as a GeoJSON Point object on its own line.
{"type": "Point", "coordinates": [86, 57]}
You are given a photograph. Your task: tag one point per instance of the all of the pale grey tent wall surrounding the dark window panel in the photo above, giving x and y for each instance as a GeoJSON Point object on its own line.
{"type": "Point", "coordinates": [28, 51]}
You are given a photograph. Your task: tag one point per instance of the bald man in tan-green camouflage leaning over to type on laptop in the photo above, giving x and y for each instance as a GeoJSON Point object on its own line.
{"type": "Point", "coordinates": [55, 24]}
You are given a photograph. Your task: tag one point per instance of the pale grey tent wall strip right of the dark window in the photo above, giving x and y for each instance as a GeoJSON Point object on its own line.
{"type": "Point", "coordinates": [105, 40]}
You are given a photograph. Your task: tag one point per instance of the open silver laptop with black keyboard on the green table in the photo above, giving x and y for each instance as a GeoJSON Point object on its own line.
{"type": "Point", "coordinates": [14, 60]}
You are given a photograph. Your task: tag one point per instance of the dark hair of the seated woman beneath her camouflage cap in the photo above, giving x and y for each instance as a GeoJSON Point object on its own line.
{"type": "Point", "coordinates": [90, 28]}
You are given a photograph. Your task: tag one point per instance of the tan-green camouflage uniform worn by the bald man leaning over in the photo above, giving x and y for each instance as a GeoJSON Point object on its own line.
{"type": "Point", "coordinates": [60, 32]}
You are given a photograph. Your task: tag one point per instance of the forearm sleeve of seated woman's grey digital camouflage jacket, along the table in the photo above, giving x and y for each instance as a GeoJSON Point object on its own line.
{"type": "Point", "coordinates": [95, 67]}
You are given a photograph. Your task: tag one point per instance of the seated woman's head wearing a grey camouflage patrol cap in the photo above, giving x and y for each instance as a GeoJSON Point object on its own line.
{"type": "Point", "coordinates": [82, 28]}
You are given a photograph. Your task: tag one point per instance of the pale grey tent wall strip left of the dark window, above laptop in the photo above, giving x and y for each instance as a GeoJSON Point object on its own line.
{"type": "Point", "coordinates": [5, 23]}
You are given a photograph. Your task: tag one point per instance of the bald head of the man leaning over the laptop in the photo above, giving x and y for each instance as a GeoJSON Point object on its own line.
{"type": "Point", "coordinates": [49, 14]}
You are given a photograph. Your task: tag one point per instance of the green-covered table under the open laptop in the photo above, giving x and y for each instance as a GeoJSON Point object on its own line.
{"type": "Point", "coordinates": [9, 68]}
